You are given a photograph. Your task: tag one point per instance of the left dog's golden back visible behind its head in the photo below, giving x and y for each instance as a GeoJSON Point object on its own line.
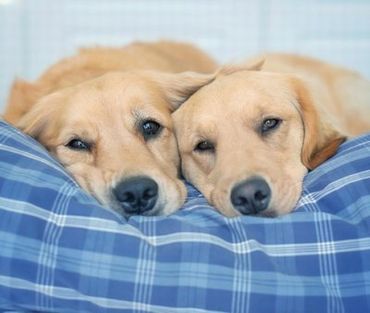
{"type": "Point", "coordinates": [167, 56]}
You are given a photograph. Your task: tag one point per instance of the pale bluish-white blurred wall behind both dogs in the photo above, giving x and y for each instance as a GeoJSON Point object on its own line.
{"type": "Point", "coordinates": [36, 33]}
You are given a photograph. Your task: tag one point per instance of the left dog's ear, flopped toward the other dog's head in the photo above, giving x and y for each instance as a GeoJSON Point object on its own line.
{"type": "Point", "coordinates": [179, 87]}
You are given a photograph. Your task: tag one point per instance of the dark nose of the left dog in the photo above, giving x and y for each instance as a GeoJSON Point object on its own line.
{"type": "Point", "coordinates": [137, 194]}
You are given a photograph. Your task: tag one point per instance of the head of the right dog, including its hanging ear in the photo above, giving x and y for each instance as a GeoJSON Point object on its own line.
{"type": "Point", "coordinates": [247, 139]}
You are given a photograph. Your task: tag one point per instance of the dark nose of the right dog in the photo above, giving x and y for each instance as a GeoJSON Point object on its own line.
{"type": "Point", "coordinates": [251, 196]}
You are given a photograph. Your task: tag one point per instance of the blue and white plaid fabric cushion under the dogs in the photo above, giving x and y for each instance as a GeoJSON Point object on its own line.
{"type": "Point", "coordinates": [61, 252]}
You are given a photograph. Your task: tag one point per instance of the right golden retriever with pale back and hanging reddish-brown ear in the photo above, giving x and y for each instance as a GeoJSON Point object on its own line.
{"type": "Point", "coordinates": [248, 137]}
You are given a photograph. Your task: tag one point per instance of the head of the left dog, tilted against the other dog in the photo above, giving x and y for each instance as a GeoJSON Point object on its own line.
{"type": "Point", "coordinates": [114, 134]}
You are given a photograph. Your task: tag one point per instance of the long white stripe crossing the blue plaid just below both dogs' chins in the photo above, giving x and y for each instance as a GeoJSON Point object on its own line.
{"type": "Point", "coordinates": [247, 246]}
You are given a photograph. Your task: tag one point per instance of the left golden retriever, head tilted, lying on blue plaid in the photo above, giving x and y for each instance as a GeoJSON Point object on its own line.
{"type": "Point", "coordinates": [113, 132]}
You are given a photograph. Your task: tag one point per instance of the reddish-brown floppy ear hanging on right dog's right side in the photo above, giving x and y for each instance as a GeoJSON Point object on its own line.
{"type": "Point", "coordinates": [321, 140]}
